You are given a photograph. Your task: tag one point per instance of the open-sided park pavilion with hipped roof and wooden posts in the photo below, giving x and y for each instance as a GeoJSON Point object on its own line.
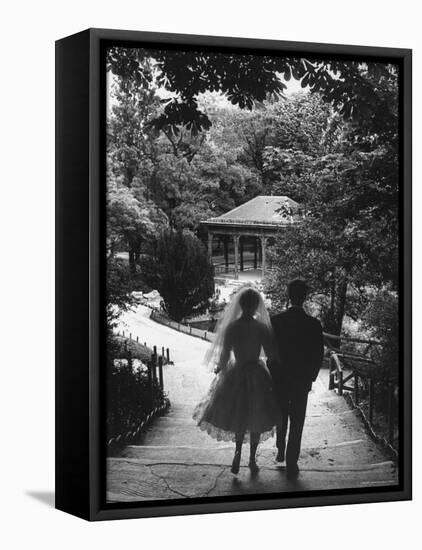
{"type": "Point", "coordinates": [246, 230]}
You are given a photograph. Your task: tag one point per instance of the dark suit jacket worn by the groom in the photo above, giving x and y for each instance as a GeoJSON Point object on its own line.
{"type": "Point", "coordinates": [300, 347]}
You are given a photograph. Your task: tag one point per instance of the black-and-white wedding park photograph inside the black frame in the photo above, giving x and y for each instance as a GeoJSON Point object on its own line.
{"type": "Point", "coordinates": [253, 277]}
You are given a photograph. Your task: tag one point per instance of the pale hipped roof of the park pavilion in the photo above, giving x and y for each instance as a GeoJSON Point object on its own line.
{"type": "Point", "coordinates": [262, 210]}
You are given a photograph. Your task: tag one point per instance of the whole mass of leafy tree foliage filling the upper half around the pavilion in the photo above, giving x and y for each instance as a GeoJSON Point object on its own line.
{"type": "Point", "coordinates": [334, 150]}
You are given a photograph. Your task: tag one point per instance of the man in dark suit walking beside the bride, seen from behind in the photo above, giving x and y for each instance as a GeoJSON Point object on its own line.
{"type": "Point", "coordinates": [299, 343]}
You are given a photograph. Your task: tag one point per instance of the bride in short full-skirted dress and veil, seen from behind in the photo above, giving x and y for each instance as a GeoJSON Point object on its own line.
{"type": "Point", "coordinates": [240, 404]}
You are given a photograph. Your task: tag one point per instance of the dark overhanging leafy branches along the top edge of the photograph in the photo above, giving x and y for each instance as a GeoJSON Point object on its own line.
{"type": "Point", "coordinates": [360, 92]}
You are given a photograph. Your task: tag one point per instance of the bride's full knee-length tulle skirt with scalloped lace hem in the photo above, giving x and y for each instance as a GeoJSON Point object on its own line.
{"type": "Point", "coordinates": [239, 401]}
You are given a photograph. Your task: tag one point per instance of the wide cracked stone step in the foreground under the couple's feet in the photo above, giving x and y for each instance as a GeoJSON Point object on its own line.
{"type": "Point", "coordinates": [136, 480]}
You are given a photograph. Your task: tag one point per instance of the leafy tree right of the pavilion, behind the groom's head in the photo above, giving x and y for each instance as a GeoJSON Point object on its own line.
{"type": "Point", "coordinates": [347, 242]}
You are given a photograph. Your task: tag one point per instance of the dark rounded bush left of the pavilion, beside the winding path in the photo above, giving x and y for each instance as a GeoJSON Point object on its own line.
{"type": "Point", "coordinates": [181, 272]}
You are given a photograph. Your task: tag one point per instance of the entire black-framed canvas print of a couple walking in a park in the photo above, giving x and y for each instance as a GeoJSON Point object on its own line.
{"type": "Point", "coordinates": [233, 274]}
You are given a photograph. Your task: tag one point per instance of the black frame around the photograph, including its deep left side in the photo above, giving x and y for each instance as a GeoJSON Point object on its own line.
{"type": "Point", "coordinates": [80, 198]}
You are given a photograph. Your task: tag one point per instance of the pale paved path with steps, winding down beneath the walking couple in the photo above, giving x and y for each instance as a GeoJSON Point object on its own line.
{"type": "Point", "coordinates": [177, 460]}
